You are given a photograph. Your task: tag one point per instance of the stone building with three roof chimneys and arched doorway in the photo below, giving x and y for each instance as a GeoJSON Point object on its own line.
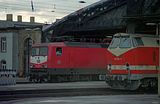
{"type": "Point", "coordinates": [16, 38]}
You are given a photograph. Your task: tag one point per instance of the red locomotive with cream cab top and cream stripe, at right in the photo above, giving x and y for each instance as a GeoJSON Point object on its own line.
{"type": "Point", "coordinates": [133, 61]}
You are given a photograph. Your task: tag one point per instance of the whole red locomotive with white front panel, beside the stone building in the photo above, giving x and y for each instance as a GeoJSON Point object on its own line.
{"type": "Point", "coordinates": [67, 61]}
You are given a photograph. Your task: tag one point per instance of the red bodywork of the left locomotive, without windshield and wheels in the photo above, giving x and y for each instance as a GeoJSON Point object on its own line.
{"type": "Point", "coordinates": [67, 58]}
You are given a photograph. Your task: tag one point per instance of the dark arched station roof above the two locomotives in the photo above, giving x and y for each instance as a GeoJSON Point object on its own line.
{"type": "Point", "coordinates": [107, 18]}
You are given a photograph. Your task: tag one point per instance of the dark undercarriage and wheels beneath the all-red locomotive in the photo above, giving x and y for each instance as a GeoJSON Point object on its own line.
{"type": "Point", "coordinates": [65, 75]}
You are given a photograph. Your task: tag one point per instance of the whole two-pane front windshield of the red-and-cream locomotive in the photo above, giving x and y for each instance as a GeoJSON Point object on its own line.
{"type": "Point", "coordinates": [121, 42]}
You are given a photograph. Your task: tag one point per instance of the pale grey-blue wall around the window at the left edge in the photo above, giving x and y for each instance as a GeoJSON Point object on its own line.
{"type": "Point", "coordinates": [7, 56]}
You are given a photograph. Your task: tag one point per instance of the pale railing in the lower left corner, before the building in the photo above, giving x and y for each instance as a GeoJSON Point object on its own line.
{"type": "Point", "coordinates": [7, 77]}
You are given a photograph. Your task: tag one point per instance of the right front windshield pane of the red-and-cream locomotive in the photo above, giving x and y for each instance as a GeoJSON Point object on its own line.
{"type": "Point", "coordinates": [125, 42]}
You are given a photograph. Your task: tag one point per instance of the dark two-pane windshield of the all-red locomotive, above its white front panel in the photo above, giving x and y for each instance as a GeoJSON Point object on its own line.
{"type": "Point", "coordinates": [39, 51]}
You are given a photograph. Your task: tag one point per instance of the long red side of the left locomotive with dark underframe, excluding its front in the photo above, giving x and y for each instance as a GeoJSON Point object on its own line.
{"type": "Point", "coordinates": [72, 62]}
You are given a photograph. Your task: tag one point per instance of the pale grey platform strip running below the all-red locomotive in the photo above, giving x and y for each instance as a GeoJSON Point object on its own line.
{"type": "Point", "coordinates": [47, 86]}
